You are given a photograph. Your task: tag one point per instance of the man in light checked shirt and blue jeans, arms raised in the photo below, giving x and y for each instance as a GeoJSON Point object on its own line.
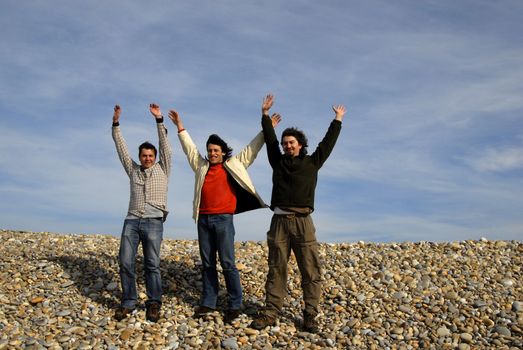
{"type": "Point", "coordinates": [145, 216]}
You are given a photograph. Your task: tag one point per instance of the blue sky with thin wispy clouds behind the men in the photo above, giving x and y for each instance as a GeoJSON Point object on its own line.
{"type": "Point", "coordinates": [431, 147]}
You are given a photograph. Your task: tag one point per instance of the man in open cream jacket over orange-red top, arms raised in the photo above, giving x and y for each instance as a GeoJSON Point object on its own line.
{"type": "Point", "coordinates": [222, 188]}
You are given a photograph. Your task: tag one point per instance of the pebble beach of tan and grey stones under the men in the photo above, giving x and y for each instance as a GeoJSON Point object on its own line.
{"type": "Point", "coordinates": [58, 291]}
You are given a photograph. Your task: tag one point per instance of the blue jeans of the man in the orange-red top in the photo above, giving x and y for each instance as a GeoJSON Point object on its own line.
{"type": "Point", "coordinates": [216, 235]}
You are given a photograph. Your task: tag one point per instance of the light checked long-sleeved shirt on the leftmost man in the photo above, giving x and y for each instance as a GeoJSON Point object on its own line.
{"type": "Point", "coordinates": [147, 185]}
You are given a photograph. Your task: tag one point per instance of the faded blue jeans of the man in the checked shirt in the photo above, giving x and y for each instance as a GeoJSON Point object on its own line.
{"type": "Point", "coordinates": [150, 232]}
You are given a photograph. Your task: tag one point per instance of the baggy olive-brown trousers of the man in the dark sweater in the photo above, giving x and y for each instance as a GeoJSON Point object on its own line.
{"type": "Point", "coordinates": [299, 234]}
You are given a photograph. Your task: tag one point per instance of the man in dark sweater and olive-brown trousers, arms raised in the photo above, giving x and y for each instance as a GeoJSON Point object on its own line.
{"type": "Point", "coordinates": [294, 181]}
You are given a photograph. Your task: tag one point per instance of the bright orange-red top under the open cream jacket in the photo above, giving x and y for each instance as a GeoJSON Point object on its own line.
{"type": "Point", "coordinates": [218, 195]}
